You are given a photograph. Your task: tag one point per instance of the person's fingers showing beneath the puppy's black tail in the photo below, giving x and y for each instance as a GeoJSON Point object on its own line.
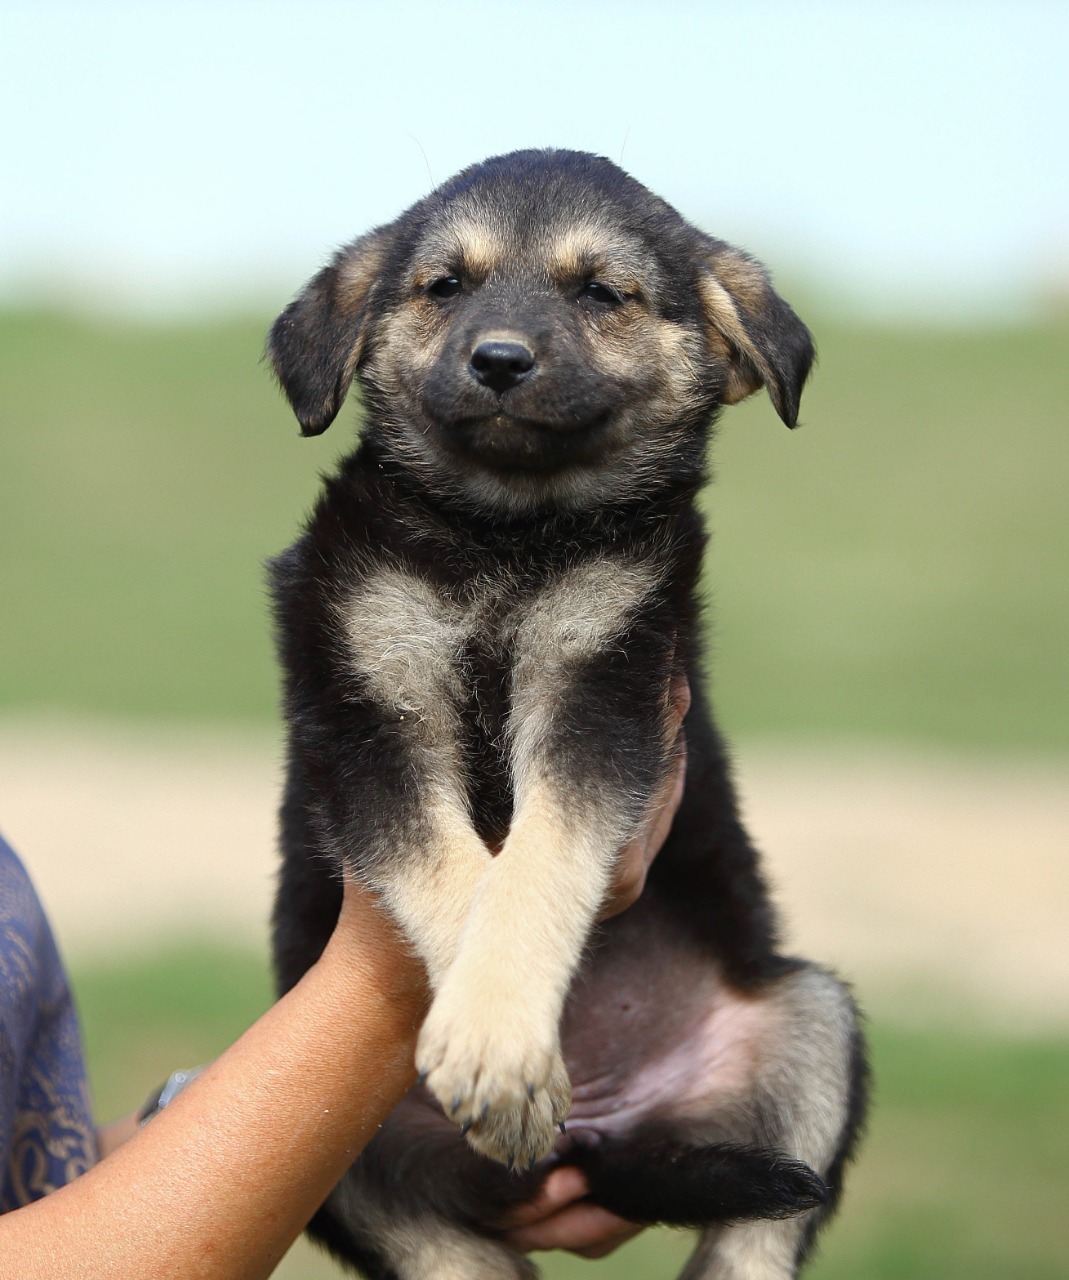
{"type": "Point", "coordinates": [560, 1218]}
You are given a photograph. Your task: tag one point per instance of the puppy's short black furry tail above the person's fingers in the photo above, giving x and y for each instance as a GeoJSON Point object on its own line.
{"type": "Point", "coordinates": [657, 1180]}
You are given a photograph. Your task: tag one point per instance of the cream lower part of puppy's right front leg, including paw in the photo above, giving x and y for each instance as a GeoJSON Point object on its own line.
{"type": "Point", "coordinates": [491, 1046]}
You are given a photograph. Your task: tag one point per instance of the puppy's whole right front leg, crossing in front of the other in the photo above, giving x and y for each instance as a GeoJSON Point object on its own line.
{"type": "Point", "coordinates": [590, 747]}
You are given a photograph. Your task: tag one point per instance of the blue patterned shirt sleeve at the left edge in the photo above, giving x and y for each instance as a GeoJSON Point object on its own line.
{"type": "Point", "coordinates": [47, 1132]}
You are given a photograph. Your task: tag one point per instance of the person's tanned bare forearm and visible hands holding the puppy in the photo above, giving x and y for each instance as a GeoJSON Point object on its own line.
{"type": "Point", "coordinates": [222, 1182]}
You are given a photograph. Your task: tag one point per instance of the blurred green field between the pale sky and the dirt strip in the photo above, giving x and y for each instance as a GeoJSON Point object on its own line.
{"type": "Point", "coordinates": [894, 570]}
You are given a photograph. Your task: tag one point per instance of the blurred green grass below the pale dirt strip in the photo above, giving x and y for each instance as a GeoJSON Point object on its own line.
{"type": "Point", "coordinates": [963, 1174]}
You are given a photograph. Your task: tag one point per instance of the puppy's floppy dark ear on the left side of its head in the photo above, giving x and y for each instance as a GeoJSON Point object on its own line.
{"type": "Point", "coordinates": [317, 344]}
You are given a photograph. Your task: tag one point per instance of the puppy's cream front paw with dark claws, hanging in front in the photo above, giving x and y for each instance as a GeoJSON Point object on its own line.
{"type": "Point", "coordinates": [497, 1075]}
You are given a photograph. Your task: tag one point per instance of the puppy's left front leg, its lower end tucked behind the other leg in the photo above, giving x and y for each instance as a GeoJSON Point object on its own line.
{"type": "Point", "coordinates": [413, 838]}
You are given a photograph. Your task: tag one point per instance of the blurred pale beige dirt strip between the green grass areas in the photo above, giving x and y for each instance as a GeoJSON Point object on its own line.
{"type": "Point", "coordinates": [917, 876]}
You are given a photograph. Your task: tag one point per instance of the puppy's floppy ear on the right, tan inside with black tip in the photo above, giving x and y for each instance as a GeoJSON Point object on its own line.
{"type": "Point", "coordinates": [765, 341]}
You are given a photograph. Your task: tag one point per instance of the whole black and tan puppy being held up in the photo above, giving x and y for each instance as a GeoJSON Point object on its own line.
{"type": "Point", "coordinates": [481, 628]}
